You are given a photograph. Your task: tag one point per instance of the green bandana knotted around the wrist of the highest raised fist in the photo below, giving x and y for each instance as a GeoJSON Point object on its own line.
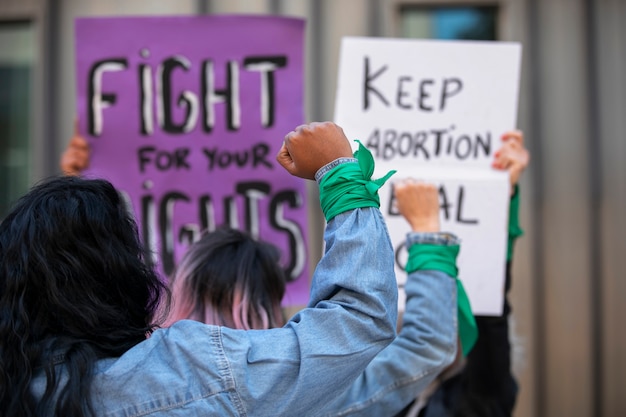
{"type": "Point", "coordinates": [349, 186]}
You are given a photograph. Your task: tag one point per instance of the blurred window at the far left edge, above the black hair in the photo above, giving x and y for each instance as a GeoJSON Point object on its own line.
{"type": "Point", "coordinates": [17, 52]}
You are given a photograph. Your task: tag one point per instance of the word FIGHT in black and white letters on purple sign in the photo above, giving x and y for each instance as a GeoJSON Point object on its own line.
{"type": "Point", "coordinates": [178, 111]}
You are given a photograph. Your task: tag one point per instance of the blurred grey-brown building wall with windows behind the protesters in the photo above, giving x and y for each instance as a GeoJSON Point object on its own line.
{"type": "Point", "coordinates": [569, 282]}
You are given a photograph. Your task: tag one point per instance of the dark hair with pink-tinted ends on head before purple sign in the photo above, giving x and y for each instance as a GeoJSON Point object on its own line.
{"type": "Point", "coordinates": [229, 279]}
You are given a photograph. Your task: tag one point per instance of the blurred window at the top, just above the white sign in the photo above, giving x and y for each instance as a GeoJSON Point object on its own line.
{"type": "Point", "coordinates": [468, 23]}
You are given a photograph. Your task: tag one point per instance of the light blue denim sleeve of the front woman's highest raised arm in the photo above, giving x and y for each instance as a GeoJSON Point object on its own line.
{"type": "Point", "coordinates": [350, 318]}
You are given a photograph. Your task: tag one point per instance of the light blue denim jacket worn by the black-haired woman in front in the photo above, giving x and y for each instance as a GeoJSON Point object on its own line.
{"type": "Point", "coordinates": [194, 369]}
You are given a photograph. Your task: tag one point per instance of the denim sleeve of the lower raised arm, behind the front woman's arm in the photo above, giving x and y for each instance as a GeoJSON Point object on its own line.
{"type": "Point", "coordinates": [425, 346]}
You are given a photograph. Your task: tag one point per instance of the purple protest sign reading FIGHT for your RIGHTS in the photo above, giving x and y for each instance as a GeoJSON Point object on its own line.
{"type": "Point", "coordinates": [185, 115]}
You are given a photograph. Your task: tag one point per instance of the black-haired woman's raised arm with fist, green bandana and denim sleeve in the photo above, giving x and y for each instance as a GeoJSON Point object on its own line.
{"type": "Point", "coordinates": [352, 310]}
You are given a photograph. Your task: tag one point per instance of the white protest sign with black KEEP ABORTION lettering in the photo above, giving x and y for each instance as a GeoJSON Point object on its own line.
{"type": "Point", "coordinates": [435, 110]}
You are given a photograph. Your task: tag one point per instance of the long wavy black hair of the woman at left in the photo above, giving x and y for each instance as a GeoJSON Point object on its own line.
{"type": "Point", "coordinates": [74, 289]}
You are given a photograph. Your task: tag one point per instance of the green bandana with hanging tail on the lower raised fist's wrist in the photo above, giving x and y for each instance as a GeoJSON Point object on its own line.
{"type": "Point", "coordinates": [443, 258]}
